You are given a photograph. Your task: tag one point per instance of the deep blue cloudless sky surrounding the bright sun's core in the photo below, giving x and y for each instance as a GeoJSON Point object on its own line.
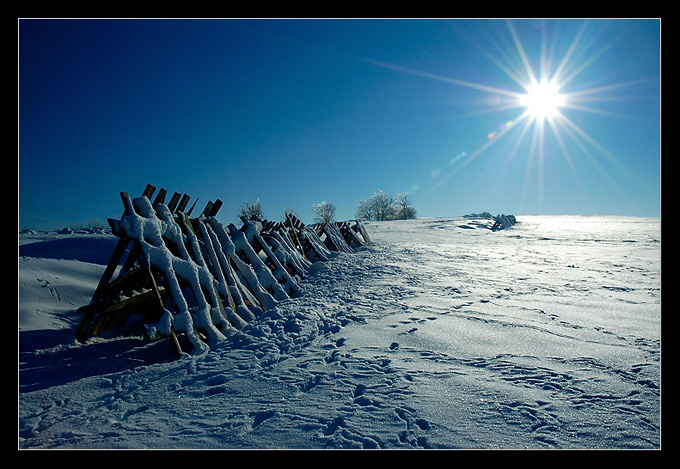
{"type": "Point", "coordinates": [295, 112]}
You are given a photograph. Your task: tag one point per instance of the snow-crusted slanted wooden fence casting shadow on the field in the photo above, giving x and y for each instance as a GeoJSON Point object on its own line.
{"type": "Point", "coordinates": [199, 279]}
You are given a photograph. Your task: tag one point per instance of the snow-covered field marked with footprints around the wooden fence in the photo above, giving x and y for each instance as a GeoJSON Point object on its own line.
{"type": "Point", "coordinates": [439, 334]}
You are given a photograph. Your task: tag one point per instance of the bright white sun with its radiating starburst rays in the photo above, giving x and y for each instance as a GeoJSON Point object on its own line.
{"type": "Point", "coordinates": [555, 81]}
